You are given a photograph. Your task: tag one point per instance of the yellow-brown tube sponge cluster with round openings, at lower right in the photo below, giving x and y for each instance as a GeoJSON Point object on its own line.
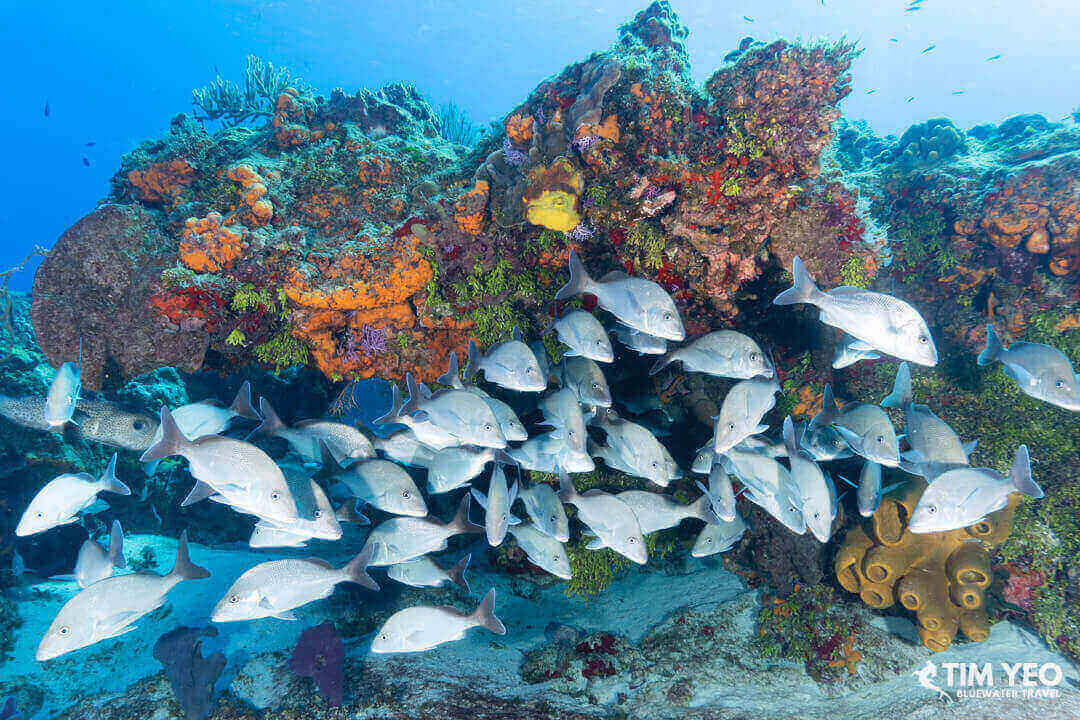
{"type": "Point", "coordinates": [941, 577]}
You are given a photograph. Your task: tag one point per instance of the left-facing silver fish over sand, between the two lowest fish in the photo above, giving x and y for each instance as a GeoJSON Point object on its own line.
{"type": "Point", "coordinates": [276, 589]}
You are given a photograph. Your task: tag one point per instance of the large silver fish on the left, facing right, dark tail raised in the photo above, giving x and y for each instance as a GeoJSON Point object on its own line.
{"type": "Point", "coordinates": [231, 471]}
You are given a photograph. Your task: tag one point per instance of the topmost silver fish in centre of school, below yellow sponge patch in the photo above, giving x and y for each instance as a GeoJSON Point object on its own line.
{"type": "Point", "coordinates": [638, 303]}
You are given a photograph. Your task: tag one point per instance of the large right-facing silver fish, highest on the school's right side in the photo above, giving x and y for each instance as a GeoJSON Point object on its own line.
{"type": "Point", "coordinates": [885, 323]}
